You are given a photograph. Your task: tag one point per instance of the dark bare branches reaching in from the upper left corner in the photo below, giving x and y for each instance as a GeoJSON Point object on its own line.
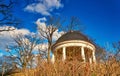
{"type": "Point", "coordinates": [7, 17]}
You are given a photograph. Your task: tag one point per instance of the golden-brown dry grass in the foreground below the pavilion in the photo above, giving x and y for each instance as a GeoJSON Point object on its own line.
{"type": "Point", "coordinates": [74, 68]}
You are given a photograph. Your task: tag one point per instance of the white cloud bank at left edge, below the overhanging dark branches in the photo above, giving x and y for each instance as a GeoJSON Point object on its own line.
{"type": "Point", "coordinates": [6, 36]}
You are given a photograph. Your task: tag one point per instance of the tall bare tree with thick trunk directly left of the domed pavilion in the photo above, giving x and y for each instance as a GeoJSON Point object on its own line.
{"type": "Point", "coordinates": [52, 25]}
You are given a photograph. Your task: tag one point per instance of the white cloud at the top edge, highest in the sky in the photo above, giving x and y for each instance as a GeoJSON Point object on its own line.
{"type": "Point", "coordinates": [44, 7]}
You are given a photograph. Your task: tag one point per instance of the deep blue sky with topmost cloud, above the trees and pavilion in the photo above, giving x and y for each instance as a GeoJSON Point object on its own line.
{"type": "Point", "coordinates": [101, 18]}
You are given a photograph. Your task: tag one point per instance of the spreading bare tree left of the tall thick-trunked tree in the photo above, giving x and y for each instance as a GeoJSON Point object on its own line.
{"type": "Point", "coordinates": [23, 50]}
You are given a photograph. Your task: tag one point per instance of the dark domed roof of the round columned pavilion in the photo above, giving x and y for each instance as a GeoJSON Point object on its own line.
{"type": "Point", "coordinates": [73, 35]}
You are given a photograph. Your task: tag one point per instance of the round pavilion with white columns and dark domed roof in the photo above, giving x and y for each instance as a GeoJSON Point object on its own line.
{"type": "Point", "coordinates": [73, 45]}
